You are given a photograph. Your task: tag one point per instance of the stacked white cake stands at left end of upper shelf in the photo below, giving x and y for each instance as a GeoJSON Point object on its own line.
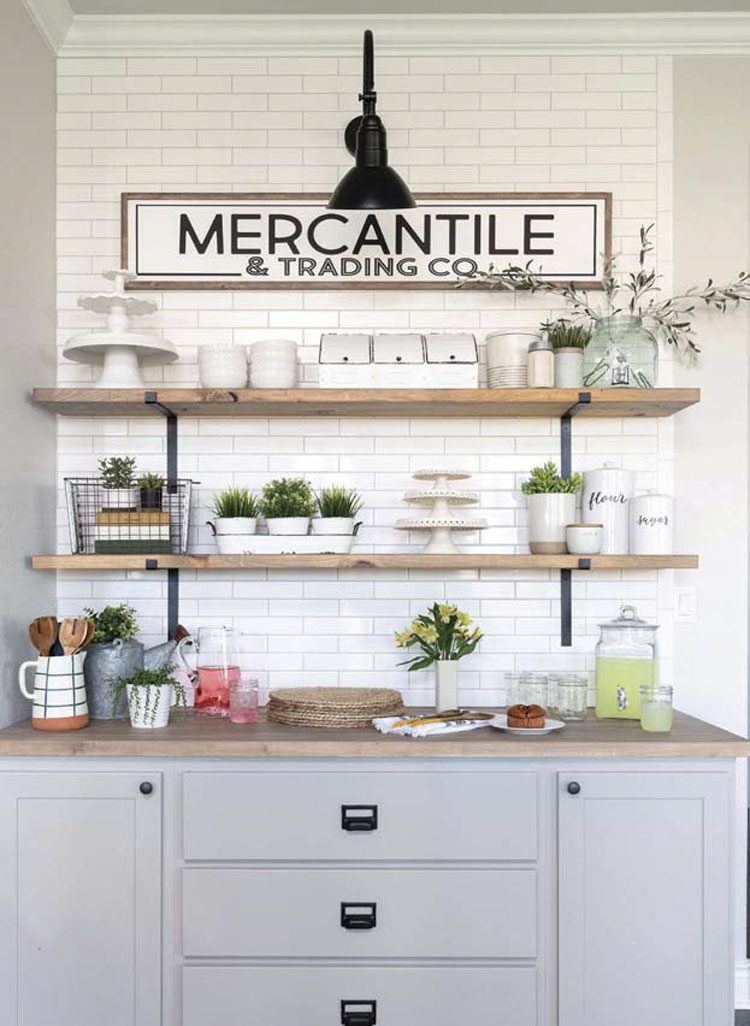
{"type": "Point", "coordinates": [119, 347]}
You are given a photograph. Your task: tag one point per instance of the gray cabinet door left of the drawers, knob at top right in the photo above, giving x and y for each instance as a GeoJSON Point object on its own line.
{"type": "Point", "coordinates": [81, 899]}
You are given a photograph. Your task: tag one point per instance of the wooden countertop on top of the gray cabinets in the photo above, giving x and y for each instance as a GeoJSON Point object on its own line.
{"type": "Point", "coordinates": [188, 736]}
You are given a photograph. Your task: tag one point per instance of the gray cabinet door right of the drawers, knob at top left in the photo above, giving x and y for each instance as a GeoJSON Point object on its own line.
{"type": "Point", "coordinates": [645, 900]}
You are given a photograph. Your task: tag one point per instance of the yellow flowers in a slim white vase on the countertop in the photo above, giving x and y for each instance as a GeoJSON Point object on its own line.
{"type": "Point", "coordinates": [445, 635]}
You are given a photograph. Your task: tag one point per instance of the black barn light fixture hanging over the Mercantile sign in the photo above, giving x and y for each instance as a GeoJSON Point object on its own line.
{"type": "Point", "coordinates": [372, 184]}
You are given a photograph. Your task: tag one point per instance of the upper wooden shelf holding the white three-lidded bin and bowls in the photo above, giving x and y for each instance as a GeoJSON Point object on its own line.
{"type": "Point", "coordinates": [367, 403]}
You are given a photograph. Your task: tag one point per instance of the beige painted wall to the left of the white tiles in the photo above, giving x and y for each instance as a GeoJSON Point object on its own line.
{"type": "Point", "coordinates": [27, 338]}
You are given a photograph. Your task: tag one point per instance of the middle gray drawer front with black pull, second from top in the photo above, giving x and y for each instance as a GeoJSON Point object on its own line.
{"type": "Point", "coordinates": [427, 914]}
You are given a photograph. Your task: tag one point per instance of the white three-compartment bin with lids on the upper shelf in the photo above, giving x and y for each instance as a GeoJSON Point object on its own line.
{"type": "Point", "coordinates": [440, 361]}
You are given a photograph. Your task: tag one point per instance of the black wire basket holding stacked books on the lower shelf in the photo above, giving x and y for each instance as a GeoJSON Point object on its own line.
{"type": "Point", "coordinates": [128, 522]}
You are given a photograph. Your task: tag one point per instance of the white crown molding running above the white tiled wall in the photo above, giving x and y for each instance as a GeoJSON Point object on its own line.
{"type": "Point", "coordinates": [721, 33]}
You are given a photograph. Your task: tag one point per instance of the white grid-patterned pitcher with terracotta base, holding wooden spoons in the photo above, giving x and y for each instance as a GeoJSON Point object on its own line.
{"type": "Point", "coordinates": [59, 698]}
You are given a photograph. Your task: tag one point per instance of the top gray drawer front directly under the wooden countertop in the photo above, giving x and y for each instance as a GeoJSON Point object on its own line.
{"type": "Point", "coordinates": [443, 815]}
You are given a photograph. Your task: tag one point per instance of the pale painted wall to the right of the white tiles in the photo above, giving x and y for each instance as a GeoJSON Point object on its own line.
{"type": "Point", "coordinates": [713, 235]}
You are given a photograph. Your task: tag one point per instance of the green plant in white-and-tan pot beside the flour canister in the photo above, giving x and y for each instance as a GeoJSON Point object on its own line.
{"type": "Point", "coordinates": [551, 508]}
